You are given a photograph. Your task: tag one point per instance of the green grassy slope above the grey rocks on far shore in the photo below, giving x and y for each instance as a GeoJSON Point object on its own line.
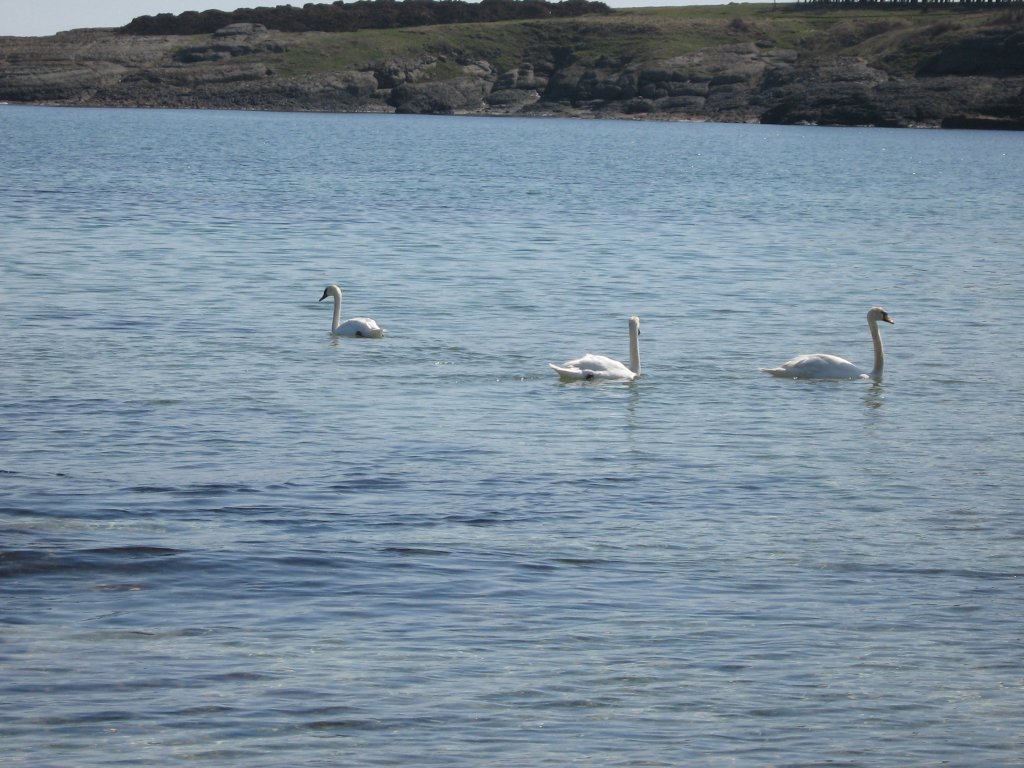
{"type": "Point", "coordinates": [635, 35]}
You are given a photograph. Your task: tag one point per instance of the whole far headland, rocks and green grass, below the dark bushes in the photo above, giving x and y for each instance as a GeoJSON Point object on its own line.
{"type": "Point", "coordinates": [728, 64]}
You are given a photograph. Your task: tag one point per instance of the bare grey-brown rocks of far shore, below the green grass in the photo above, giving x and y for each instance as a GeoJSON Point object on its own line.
{"type": "Point", "coordinates": [972, 77]}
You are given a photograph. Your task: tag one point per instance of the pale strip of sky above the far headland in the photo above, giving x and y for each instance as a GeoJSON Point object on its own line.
{"type": "Point", "coordinates": [40, 18]}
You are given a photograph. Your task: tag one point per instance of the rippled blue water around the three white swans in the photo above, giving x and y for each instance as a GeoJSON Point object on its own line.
{"type": "Point", "coordinates": [230, 539]}
